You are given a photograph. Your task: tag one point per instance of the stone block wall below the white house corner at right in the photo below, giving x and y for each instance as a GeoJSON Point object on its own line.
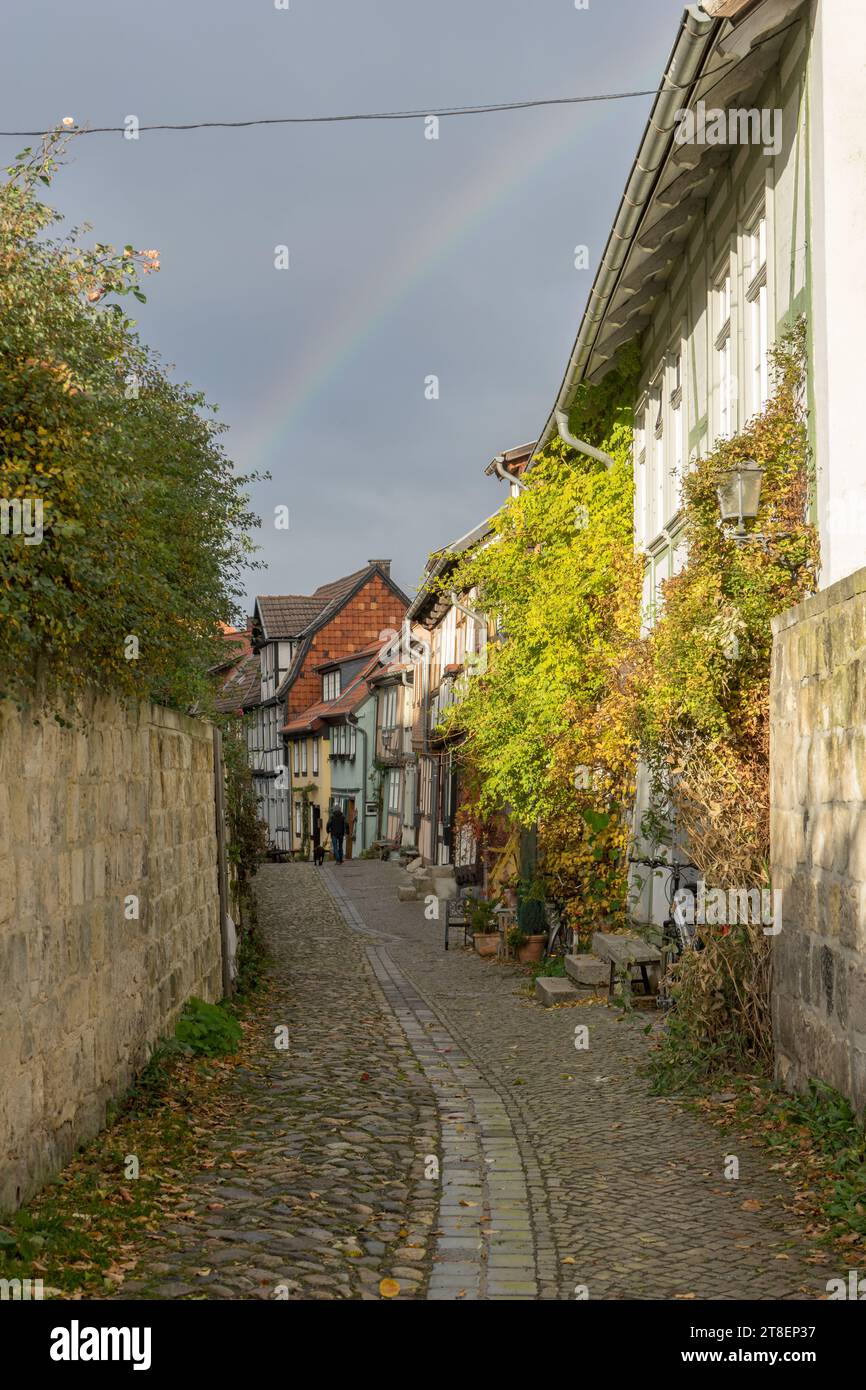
{"type": "Point", "coordinates": [819, 839]}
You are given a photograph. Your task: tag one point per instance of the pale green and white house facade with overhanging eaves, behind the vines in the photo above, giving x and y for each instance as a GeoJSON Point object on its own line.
{"type": "Point", "coordinates": [746, 209]}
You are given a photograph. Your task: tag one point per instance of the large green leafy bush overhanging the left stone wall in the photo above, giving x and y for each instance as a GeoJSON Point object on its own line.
{"type": "Point", "coordinates": [145, 525]}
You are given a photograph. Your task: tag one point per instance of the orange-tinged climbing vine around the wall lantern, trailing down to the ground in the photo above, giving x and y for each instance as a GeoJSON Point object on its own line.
{"type": "Point", "coordinates": [703, 707]}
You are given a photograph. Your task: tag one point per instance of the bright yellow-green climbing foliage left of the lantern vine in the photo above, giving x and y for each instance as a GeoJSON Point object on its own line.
{"type": "Point", "coordinates": [547, 729]}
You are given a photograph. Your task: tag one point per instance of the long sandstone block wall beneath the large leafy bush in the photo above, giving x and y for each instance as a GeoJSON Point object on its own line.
{"type": "Point", "coordinates": [119, 806]}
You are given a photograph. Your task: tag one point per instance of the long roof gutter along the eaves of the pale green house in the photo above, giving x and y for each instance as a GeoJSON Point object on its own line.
{"type": "Point", "coordinates": [683, 69]}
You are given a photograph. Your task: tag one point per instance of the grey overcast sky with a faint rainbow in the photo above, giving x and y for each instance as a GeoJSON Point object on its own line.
{"type": "Point", "coordinates": [408, 258]}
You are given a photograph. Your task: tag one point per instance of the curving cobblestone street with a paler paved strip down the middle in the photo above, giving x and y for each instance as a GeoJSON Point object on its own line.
{"type": "Point", "coordinates": [557, 1167]}
